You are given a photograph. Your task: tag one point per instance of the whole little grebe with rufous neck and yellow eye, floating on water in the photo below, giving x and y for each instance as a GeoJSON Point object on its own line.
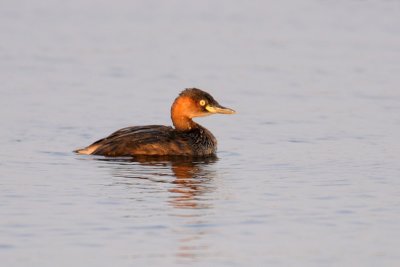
{"type": "Point", "coordinates": [187, 139]}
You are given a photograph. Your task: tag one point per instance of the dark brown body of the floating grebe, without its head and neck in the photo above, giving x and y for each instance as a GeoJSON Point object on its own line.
{"type": "Point", "coordinates": [155, 140]}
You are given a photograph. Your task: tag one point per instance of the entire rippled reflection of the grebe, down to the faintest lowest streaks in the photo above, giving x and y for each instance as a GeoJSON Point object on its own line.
{"type": "Point", "coordinates": [189, 181]}
